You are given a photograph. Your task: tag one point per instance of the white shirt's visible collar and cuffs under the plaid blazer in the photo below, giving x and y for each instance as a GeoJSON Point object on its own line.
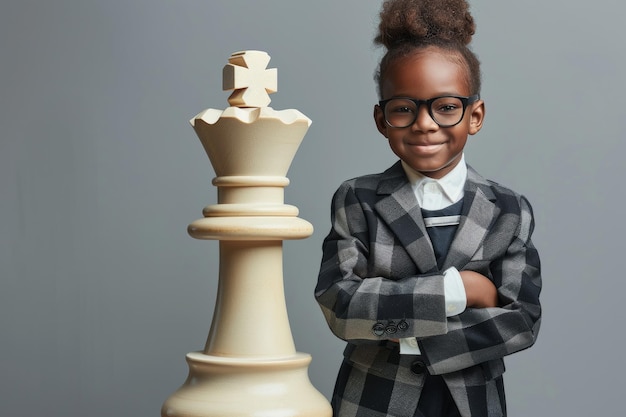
{"type": "Point", "coordinates": [436, 194]}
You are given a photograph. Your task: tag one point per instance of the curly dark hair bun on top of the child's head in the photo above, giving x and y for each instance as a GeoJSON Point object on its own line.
{"type": "Point", "coordinates": [425, 21]}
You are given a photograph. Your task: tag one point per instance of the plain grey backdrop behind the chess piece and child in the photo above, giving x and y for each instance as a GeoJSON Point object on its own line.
{"type": "Point", "coordinates": [102, 292]}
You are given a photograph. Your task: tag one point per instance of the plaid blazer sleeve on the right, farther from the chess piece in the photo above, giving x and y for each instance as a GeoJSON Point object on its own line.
{"type": "Point", "coordinates": [481, 334]}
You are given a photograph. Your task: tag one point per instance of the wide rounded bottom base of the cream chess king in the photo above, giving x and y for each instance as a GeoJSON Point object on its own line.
{"type": "Point", "coordinates": [225, 386]}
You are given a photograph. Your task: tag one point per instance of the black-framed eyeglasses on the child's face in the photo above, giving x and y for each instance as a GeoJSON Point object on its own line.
{"type": "Point", "coordinates": [446, 111]}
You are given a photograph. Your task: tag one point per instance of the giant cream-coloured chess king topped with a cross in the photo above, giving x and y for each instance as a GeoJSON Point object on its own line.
{"type": "Point", "coordinates": [249, 366]}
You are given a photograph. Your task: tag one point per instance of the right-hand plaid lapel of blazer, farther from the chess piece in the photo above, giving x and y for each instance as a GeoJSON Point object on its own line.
{"type": "Point", "coordinates": [479, 212]}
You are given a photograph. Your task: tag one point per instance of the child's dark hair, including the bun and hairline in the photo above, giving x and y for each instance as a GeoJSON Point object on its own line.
{"type": "Point", "coordinates": [409, 26]}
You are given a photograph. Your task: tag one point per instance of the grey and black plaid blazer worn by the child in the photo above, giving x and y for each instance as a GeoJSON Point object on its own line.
{"type": "Point", "coordinates": [379, 280]}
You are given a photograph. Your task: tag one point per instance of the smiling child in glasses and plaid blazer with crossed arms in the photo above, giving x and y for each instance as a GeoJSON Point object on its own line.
{"type": "Point", "coordinates": [428, 272]}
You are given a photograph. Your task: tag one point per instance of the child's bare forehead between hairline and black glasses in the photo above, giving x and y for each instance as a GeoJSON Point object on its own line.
{"type": "Point", "coordinates": [426, 74]}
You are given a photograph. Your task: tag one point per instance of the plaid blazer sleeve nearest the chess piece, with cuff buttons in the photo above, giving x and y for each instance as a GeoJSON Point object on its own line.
{"type": "Point", "coordinates": [360, 302]}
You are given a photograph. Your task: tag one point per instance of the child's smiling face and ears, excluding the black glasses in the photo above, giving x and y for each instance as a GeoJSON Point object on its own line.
{"type": "Point", "coordinates": [424, 146]}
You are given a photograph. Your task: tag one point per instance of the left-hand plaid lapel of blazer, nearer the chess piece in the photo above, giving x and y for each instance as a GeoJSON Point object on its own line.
{"type": "Point", "coordinates": [398, 208]}
